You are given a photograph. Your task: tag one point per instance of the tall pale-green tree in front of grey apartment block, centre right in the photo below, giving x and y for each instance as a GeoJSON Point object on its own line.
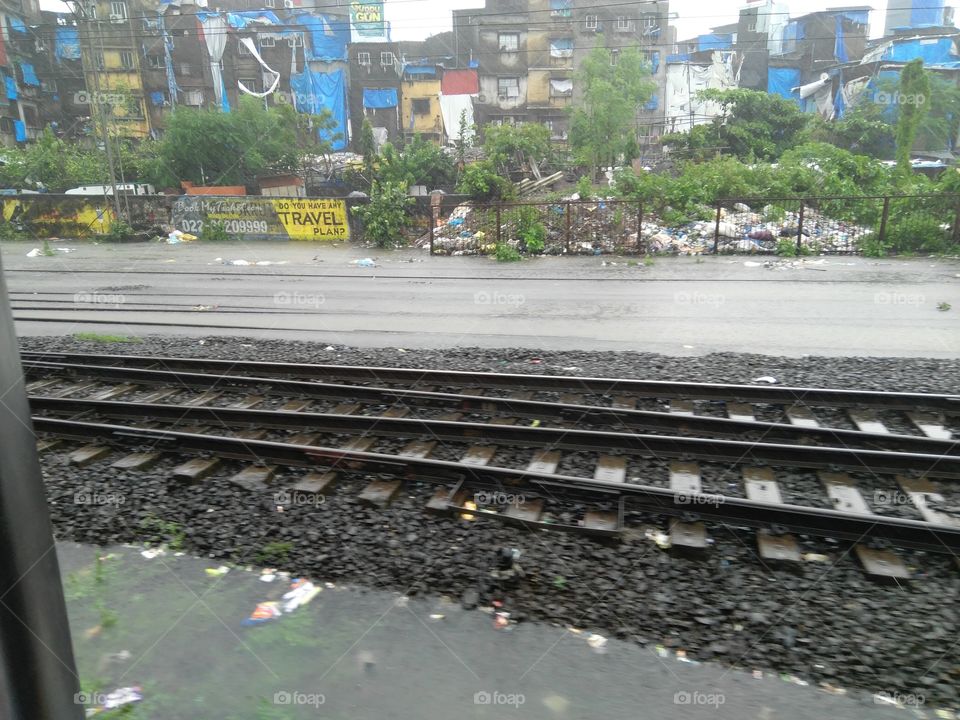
{"type": "Point", "coordinates": [610, 98]}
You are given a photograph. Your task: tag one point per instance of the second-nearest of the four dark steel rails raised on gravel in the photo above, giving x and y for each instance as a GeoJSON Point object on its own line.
{"type": "Point", "coordinates": [736, 451]}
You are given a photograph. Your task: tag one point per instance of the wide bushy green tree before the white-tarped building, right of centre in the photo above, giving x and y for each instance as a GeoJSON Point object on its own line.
{"type": "Point", "coordinates": [752, 125]}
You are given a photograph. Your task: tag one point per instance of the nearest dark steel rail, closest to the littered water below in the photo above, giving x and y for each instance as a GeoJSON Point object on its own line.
{"type": "Point", "coordinates": [736, 511]}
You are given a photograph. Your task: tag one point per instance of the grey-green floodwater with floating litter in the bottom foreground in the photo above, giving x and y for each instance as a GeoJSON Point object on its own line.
{"type": "Point", "coordinates": [202, 641]}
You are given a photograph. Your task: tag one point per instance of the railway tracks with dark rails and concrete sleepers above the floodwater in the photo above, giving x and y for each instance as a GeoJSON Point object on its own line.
{"type": "Point", "coordinates": [591, 455]}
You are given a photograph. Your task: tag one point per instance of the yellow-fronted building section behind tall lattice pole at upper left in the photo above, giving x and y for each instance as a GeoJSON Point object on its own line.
{"type": "Point", "coordinates": [111, 67]}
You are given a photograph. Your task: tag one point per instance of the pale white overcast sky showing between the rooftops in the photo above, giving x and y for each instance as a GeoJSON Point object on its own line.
{"type": "Point", "coordinates": [416, 19]}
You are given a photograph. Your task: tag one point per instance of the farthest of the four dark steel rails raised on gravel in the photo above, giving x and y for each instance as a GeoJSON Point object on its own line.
{"type": "Point", "coordinates": [777, 395]}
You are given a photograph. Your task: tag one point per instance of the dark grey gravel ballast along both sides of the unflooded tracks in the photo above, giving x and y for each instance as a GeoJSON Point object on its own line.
{"type": "Point", "coordinates": [823, 621]}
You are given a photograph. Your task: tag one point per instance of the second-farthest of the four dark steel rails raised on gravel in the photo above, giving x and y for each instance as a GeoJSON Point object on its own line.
{"type": "Point", "coordinates": [628, 419]}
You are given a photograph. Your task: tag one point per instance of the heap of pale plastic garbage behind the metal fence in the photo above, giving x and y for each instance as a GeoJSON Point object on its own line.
{"type": "Point", "coordinates": [602, 228]}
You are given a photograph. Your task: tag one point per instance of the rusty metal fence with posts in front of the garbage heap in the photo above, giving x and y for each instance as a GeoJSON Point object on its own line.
{"type": "Point", "coordinates": [871, 225]}
